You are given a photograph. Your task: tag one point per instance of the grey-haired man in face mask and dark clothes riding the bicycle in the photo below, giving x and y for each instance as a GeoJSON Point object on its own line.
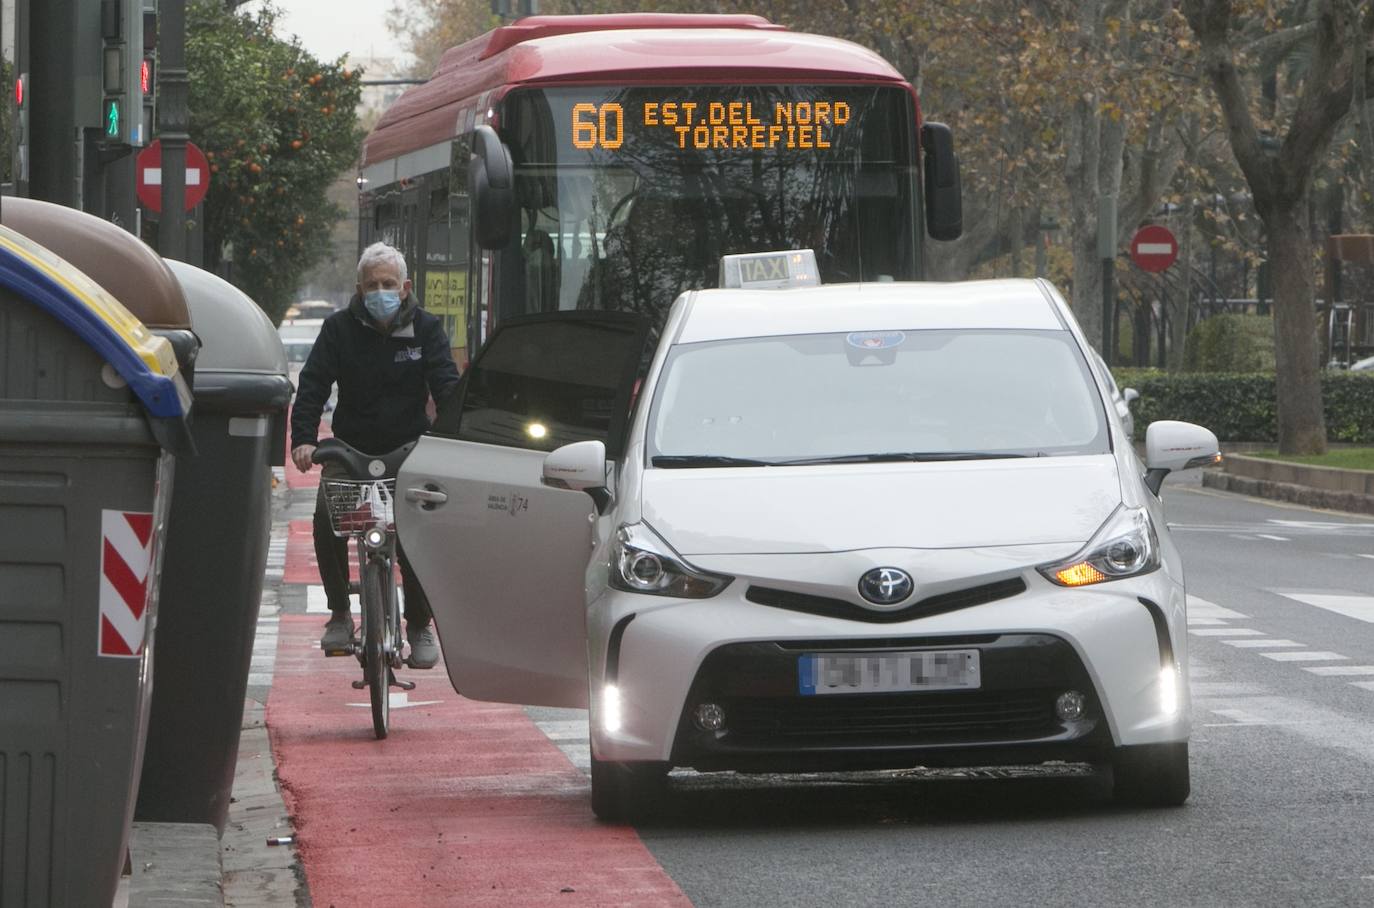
{"type": "Point", "coordinates": [388, 358]}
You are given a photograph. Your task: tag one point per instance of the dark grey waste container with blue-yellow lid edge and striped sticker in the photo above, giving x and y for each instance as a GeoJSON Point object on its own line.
{"type": "Point", "coordinates": [93, 410]}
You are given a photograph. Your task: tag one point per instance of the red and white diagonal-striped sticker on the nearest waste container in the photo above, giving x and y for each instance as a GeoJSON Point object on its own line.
{"type": "Point", "coordinates": [126, 558]}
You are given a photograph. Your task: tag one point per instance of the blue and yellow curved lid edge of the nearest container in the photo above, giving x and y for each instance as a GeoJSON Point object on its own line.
{"type": "Point", "coordinates": [142, 359]}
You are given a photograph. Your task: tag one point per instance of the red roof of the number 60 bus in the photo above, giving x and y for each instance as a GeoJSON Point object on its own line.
{"type": "Point", "coordinates": [618, 50]}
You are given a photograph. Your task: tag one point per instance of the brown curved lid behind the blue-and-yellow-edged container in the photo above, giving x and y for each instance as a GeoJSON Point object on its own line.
{"type": "Point", "coordinates": [115, 259]}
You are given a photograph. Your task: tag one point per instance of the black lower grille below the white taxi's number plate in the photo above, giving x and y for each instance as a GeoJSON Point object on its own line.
{"type": "Point", "coordinates": [894, 719]}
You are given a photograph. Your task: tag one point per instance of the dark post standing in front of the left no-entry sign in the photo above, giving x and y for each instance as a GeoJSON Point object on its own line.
{"type": "Point", "coordinates": [174, 126]}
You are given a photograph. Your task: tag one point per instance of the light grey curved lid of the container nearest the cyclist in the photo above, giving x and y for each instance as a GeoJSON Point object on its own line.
{"type": "Point", "coordinates": [236, 334]}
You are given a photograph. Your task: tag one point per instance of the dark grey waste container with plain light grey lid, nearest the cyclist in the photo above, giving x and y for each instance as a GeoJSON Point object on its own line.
{"type": "Point", "coordinates": [216, 556]}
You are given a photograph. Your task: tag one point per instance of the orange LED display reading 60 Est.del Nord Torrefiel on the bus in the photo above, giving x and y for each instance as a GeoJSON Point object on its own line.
{"type": "Point", "coordinates": [714, 126]}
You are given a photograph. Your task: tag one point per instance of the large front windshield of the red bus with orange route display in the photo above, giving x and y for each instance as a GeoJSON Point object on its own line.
{"type": "Point", "coordinates": [629, 197]}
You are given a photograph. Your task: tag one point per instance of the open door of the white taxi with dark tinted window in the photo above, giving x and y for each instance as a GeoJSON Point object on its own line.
{"type": "Point", "coordinates": [502, 557]}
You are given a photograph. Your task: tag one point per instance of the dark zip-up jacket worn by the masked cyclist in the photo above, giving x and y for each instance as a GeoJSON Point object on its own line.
{"type": "Point", "coordinates": [385, 378]}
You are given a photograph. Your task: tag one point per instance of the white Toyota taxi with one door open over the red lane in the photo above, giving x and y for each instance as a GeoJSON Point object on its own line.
{"type": "Point", "coordinates": [839, 528]}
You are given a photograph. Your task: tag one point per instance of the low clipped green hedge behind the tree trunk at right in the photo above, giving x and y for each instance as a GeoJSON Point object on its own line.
{"type": "Point", "coordinates": [1241, 406]}
